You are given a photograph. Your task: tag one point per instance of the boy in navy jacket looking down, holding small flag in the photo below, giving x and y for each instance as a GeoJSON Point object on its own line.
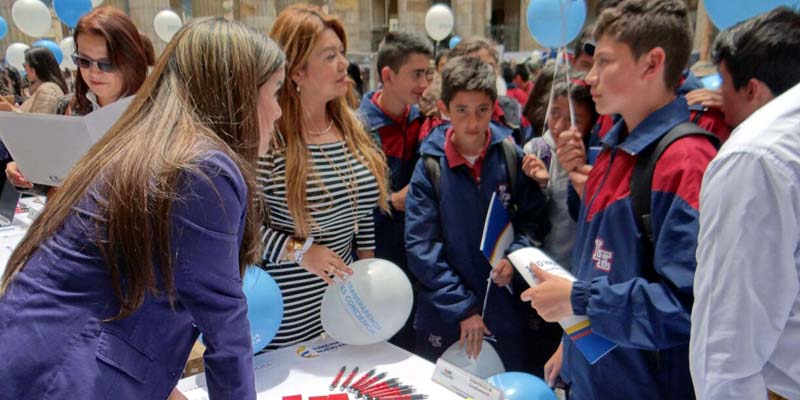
{"type": "Point", "coordinates": [444, 227]}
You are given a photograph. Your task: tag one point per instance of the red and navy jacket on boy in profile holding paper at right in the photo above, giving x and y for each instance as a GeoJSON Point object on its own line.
{"type": "Point", "coordinates": [648, 319]}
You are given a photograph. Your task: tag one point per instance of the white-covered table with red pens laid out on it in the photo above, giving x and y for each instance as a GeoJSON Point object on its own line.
{"type": "Point", "coordinates": [309, 368]}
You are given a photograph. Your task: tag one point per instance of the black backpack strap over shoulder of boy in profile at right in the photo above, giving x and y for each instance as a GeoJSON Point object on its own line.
{"type": "Point", "coordinates": [642, 182]}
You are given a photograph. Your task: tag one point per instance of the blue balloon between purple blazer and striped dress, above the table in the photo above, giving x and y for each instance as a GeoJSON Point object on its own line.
{"type": "Point", "coordinates": [264, 306]}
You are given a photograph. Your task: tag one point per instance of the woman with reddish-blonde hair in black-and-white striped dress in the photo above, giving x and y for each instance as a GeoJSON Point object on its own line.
{"type": "Point", "coordinates": [324, 177]}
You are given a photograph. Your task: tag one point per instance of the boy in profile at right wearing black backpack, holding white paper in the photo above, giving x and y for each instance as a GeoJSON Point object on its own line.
{"type": "Point", "coordinates": [636, 293]}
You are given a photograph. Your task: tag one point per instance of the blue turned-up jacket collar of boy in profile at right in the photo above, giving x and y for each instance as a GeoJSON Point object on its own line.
{"type": "Point", "coordinates": [650, 129]}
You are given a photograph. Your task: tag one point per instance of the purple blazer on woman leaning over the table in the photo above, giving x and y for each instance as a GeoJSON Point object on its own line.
{"type": "Point", "coordinates": [55, 345]}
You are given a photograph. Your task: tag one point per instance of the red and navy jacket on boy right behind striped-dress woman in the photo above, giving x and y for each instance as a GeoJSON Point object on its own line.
{"type": "Point", "coordinates": [399, 139]}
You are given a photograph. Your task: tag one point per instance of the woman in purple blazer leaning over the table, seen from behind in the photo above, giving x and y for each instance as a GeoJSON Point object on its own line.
{"type": "Point", "coordinates": [144, 246]}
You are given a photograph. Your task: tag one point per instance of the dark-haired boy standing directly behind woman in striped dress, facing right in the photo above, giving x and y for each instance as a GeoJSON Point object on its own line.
{"type": "Point", "coordinates": [395, 120]}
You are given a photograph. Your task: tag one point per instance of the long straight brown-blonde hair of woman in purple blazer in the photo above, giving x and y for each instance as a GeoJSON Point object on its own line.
{"type": "Point", "coordinates": [201, 96]}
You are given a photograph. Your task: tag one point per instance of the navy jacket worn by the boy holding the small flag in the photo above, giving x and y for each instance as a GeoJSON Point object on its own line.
{"type": "Point", "coordinates": [443, 237]}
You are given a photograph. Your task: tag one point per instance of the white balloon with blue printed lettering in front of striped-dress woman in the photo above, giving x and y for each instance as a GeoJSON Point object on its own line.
{"type": "Point", "coordinates": [370, 306]}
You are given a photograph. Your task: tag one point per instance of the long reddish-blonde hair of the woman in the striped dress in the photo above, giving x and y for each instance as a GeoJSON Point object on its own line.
{"type": "Point", "coordinates": [297, 29]}
